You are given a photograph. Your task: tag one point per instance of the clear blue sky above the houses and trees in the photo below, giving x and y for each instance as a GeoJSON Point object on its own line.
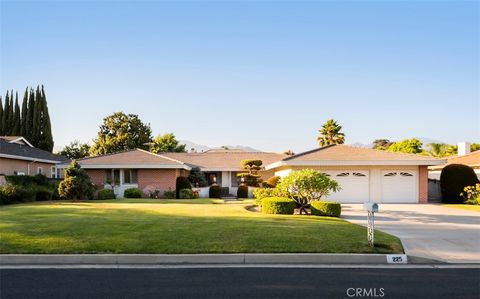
{"type": "Point", "coordinates": [263, 74]}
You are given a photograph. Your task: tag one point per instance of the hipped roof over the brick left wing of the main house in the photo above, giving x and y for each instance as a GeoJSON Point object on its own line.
{"type": "Point", "coordinates": [136, 158]}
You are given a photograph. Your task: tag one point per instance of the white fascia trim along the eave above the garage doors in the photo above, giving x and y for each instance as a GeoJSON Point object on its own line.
{"type": "Point", "coordinates": [353, 163]}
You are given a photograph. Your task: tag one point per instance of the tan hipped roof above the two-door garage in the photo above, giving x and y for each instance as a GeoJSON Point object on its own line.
{"type": "Point", "coordinates": [340, 154]}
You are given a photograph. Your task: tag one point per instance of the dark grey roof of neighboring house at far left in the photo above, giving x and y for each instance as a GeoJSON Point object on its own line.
{"type": "Point", "coordinates": [20, 151]}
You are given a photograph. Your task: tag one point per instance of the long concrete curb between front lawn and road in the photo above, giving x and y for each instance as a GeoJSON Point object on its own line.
{"type": "Point", "coordinates": [236, 258]}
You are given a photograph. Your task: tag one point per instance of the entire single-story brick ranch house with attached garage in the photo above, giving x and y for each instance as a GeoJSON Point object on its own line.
{"type": "Point", "coordinates": [364, 174]}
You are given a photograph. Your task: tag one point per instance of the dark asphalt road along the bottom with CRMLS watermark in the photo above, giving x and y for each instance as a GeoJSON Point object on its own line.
{"type": "Point", "coordinates": [240, 283]}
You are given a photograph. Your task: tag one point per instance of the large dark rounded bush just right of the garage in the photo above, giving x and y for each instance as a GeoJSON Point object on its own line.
{"type": "Point", "coordinates": [453, 179]}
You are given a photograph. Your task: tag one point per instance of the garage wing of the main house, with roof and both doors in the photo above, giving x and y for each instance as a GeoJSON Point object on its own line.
{"type": "Point", "coordinates": [366, 174]}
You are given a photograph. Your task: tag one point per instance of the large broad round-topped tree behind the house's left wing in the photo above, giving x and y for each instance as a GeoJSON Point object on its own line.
{"type": "Point", "coordinates": [121, 132]}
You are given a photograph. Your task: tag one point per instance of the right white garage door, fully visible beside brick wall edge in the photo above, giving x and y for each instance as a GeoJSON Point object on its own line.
{"type": "Point", "coordinates": [399, 186]}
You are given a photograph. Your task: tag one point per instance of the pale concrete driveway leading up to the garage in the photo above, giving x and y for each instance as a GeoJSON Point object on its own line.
{"type": "Point", "coordinates": [427, 230]}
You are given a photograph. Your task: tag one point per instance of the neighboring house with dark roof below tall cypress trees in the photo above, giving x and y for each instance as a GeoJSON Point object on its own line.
{"type": "Point", "coordinates": [19, 157]}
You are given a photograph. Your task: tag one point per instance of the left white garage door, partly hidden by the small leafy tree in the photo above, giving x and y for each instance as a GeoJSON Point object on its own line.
{"type": "Point", "coordinates": [354, 184]}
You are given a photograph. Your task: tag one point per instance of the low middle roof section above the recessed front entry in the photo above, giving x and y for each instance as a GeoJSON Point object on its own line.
{"type": "Point", "coordinates": [226, 160]}
